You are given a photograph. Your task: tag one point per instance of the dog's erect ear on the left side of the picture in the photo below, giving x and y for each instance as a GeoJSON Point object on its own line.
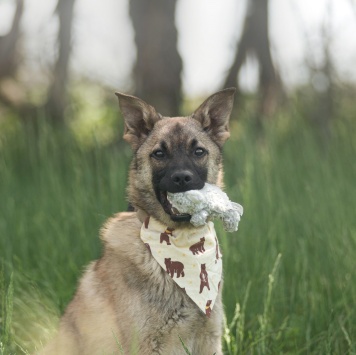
{"type": "Point", "coordinates": [139, 117]}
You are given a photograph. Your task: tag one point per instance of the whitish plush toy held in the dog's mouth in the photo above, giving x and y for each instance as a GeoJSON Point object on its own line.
{"type": "Point", "coordinates": [208, 203]}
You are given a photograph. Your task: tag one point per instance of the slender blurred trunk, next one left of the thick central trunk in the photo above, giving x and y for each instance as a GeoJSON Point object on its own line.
{"type": "Point", "coordinates": [57, 93]}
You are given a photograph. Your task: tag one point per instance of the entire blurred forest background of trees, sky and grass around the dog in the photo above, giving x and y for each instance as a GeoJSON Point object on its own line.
{"type": "Point", "coordinates": [290, 285]}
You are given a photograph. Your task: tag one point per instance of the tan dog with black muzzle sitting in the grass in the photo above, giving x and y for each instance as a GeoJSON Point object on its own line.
{"type": "Point", "coordinates": [126, 301]}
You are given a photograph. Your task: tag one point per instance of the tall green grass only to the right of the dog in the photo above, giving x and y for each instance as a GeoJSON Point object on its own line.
{"type": "Point", "coordinates": [299, 197]}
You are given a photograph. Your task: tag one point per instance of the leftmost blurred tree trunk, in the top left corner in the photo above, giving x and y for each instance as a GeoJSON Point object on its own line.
{"type": "Point", "coordinates": [8, 44]}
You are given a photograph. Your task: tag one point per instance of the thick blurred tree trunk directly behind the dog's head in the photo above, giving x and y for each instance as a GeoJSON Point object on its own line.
{"type": "Point", "coordinates": [158, 65]}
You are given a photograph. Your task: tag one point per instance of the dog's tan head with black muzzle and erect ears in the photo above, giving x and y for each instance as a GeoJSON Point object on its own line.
{"type": "Point", "coordinates": [174, 154]}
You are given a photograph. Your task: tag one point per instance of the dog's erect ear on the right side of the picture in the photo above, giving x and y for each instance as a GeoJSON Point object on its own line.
{"type": "Point", "coordinates": [214, 114]}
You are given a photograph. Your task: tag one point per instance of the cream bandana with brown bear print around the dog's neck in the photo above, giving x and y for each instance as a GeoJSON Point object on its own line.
{"type": "Point", "coordinates": [191, 256]}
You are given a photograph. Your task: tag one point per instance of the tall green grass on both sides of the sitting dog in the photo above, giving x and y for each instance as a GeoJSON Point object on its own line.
{"type": "Point", "coordinates": [290, 281]}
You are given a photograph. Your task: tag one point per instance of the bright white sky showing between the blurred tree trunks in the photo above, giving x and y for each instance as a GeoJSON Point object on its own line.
{"type": "Point", "coordinates": [208, 29]}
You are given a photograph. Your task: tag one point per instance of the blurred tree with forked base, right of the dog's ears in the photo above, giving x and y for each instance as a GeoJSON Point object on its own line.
{"type": "Point", "coordinates": [255, 40]}
